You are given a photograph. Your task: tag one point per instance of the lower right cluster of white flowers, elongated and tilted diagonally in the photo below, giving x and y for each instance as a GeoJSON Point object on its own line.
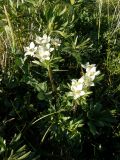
{"type": "Point", "coordinates": [80, 87]}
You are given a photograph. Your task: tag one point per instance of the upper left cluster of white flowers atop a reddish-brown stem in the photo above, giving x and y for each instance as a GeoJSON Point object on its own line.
{"type": "Point", "coordinates": [42, 50]}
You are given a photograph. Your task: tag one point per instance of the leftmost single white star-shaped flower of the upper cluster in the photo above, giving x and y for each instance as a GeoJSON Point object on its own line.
{"type": "Point", "coordinates": [30, 50]}
